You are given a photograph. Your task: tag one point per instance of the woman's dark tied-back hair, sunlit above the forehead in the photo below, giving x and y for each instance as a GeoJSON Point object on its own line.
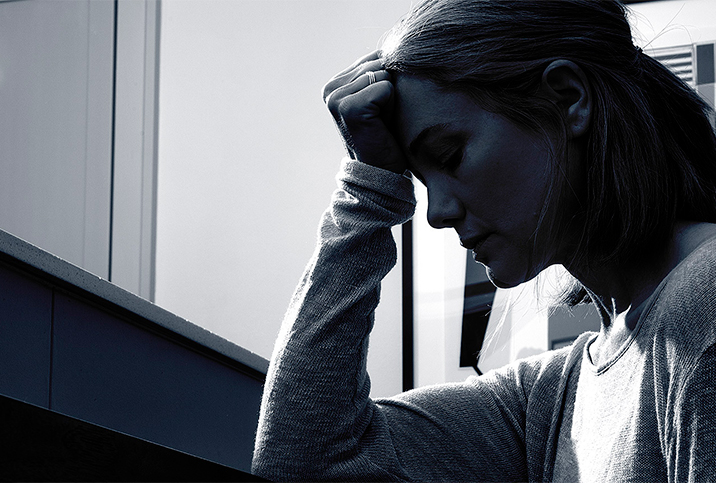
{"type": "Point", "coordinates": [651, 149]}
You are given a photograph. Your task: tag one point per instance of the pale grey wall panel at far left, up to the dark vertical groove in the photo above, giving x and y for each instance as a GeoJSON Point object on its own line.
{"type": "Point", "coordinates": [56, 61]}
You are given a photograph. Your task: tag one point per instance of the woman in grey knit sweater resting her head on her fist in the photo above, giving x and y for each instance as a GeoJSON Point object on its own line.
{"type": "Point", "coordinates": [543, 136]}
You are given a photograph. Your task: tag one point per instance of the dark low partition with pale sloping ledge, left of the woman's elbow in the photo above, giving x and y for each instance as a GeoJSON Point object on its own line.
{"type": "Point", "coordinates": [78, 345]}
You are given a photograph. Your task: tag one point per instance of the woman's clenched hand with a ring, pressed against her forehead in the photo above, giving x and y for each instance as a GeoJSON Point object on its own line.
{"type": "Point", "coordinates": [359, 102]}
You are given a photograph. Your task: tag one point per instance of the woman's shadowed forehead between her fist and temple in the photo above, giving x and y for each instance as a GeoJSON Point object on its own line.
{"type": "Point", "coordinates": [421, 105]}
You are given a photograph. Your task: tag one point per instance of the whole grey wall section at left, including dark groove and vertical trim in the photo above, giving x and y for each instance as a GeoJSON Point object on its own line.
{"type": "Point", "coordinates": [77, 86]}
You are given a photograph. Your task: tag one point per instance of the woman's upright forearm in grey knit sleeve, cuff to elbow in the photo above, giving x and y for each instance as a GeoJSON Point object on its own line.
{"type": "Point", "coordinates": [316, 407]}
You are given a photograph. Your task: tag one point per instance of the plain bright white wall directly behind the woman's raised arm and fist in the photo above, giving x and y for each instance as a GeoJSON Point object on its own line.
{"type": "Point", "coordinates": [247, 159]}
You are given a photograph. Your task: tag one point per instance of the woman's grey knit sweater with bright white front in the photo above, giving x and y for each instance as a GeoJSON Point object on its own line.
{"type": "Point", "coordinates": [647, 414]}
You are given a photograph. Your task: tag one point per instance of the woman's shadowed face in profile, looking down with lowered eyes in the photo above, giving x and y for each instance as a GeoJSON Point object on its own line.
{"type": "Point", "coordinates": [486, 177]}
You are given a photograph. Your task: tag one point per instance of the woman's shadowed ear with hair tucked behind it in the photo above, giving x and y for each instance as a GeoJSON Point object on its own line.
{"type": "Point", "coordinates": [564, 83]}
